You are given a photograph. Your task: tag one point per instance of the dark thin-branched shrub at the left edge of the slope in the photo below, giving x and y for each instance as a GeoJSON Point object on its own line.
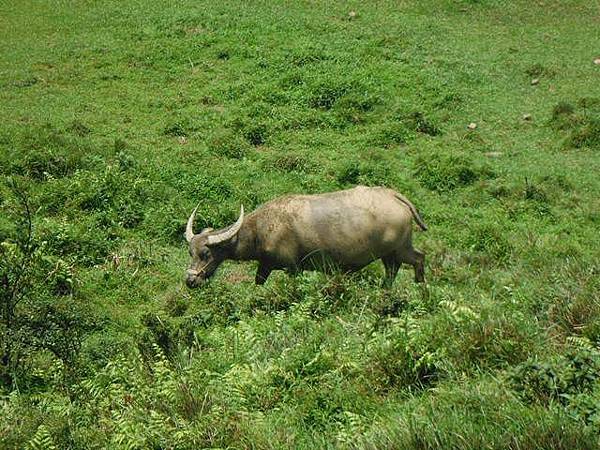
{"type": "Point", "coordinates": [37, 309]}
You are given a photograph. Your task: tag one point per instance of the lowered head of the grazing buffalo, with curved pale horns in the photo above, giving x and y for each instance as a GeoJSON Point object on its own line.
{"type": "Point", "coordinates": [208, 249]}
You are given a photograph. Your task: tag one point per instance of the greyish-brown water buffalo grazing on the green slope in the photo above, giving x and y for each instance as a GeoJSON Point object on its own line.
{"type": "Point", "coordinates": [344, 230]}
